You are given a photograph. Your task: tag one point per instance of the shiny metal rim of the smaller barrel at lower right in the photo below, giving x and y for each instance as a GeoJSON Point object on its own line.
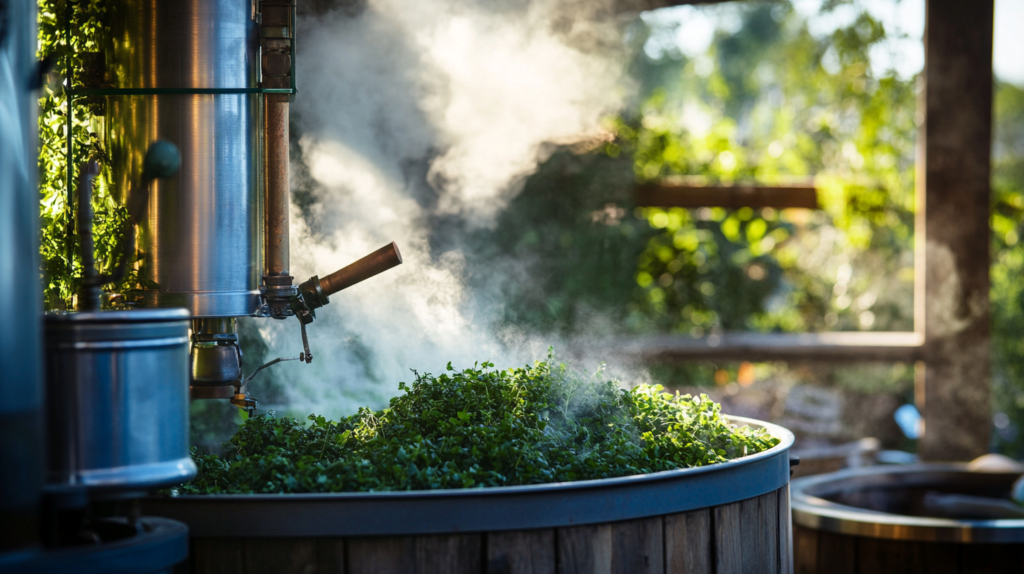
{"type": "Point", "coordinates": [810, 510]}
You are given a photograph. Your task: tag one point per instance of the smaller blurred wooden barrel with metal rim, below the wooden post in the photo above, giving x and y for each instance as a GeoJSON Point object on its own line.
{"type": "Point", "coordinates": [876, 521]}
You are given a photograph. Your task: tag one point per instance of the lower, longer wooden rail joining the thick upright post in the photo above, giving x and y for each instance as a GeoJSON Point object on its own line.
{"type": "Point", "coordinates": [826, 347]}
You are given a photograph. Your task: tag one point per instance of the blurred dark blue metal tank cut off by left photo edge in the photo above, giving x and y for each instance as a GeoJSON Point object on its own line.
{"type": "Point", "coordinates": [22, 446]}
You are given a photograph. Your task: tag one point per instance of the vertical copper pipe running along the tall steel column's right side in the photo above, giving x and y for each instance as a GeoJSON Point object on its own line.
{"type": "Point", "coordinates": [278, 195]}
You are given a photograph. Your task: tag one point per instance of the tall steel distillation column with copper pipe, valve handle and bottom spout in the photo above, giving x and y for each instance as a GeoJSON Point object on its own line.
{"type": "Point", "coordinates": [217, 78]}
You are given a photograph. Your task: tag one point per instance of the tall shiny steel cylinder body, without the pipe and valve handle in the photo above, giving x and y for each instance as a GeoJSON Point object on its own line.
{"type": "Point", "coordinates": [202, 233]}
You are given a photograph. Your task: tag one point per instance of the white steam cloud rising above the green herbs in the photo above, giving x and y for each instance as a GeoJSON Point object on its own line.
{"type": "Point", "coordinates": [409, 110]}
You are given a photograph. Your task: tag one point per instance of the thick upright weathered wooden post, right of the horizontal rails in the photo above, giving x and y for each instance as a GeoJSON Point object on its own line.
{"type": "Point", "coordinates": [953, 233]}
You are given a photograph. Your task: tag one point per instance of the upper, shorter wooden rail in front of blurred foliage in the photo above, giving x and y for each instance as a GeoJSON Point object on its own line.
{"type": "Point", "coordinates": [734, 197]}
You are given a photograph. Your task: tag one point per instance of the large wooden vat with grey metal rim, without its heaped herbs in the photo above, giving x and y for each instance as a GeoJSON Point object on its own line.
{"type": "Point", "coordinates": [724, 519]}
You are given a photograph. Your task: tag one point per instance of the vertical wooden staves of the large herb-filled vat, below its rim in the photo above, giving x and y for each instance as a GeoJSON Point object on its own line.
{"type": "Point", "coordinates": [749, 537]}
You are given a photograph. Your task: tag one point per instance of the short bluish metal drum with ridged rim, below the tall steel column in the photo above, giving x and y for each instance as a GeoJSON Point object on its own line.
{"type": "Point", "coordinates": [118, 400]}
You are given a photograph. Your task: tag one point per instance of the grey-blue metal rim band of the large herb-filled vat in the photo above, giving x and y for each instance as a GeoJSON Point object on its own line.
{"type": "Point", "coordinates": [485, 510]}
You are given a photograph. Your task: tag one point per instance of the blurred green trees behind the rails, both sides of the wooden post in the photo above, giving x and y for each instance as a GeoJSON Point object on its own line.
{"type": "Point", "coordinates": [769, 102]}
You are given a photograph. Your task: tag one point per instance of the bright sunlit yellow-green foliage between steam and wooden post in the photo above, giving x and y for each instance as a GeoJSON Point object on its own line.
{"type": "Point", "coordinates": [778, 105]}
